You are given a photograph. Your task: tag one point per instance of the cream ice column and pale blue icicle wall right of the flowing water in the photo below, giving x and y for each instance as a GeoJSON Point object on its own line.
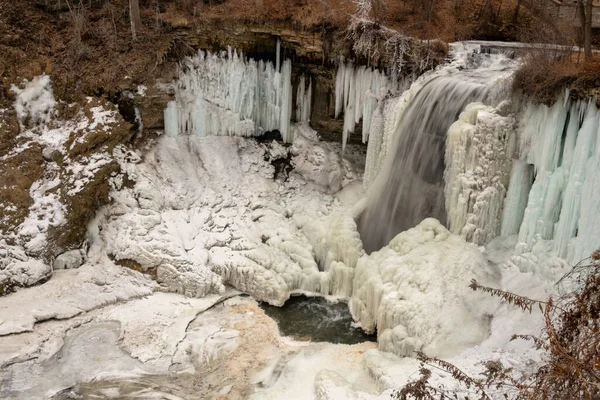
{"type": "Point", "coordinates": [532, 173]}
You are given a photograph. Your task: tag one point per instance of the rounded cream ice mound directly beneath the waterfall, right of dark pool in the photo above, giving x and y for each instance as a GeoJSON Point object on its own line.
{"type": "Point", "coordinates": [415, 292]}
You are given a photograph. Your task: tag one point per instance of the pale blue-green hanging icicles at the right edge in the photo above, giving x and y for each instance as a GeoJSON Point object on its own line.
{"type": "Point", "coordinates": [561, 143]}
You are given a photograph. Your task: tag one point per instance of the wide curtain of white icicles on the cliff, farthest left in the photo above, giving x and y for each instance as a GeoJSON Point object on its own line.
{"type": "Point", "coordinates": [226, 94]}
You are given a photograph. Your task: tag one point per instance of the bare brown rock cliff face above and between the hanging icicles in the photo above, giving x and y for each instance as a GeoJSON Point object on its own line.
{"type": "Point", "coordinates": [313, 56]}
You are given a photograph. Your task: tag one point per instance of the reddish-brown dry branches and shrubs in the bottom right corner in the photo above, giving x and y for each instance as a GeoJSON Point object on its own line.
{"type": "Point", "coordinates": [571, 341]}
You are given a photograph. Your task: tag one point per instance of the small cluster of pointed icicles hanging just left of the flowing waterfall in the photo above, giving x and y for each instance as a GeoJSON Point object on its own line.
{"type": "Point", "coordinates": [357, 91]}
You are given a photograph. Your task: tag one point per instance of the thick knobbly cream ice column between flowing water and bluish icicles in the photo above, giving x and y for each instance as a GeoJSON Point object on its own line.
{"type": "Point", "coordinates": [478, 161]}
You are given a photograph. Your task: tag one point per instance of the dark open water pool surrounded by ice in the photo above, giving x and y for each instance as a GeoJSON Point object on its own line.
{"type": "Point", "coordinates": [316, 319]}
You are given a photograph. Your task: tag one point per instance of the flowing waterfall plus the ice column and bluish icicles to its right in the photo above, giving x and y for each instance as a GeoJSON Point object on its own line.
{"type": "Point", "coordinates": [455, 148]}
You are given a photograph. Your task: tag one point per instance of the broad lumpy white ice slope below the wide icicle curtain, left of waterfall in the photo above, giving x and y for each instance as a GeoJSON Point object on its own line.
{"type": "Point", "coordinates": [207, 211]}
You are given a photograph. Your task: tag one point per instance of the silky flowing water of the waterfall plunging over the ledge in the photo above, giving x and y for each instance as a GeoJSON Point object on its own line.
{"type": "Point", "coordinates": [410, 185]}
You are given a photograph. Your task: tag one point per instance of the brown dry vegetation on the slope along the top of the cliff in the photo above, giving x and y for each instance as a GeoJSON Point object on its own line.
{"type": "Point", "coordinates": [88, 48]}
